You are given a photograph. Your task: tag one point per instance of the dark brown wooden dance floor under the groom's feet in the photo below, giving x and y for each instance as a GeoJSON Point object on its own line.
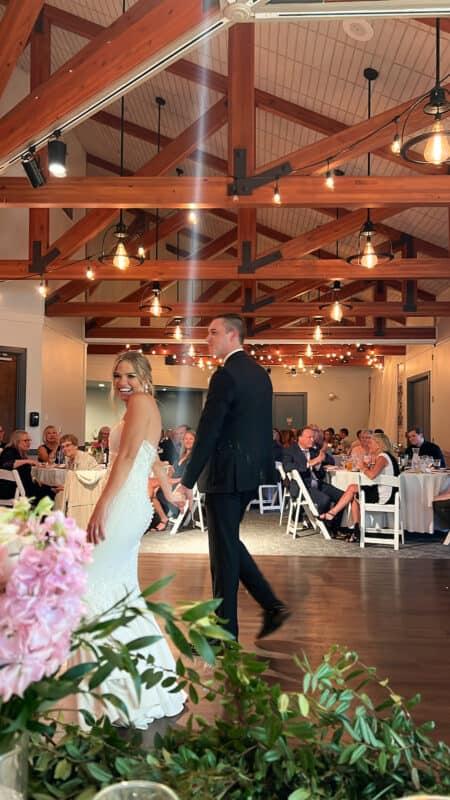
{"type": "Point", "coordinates": [394, 612]}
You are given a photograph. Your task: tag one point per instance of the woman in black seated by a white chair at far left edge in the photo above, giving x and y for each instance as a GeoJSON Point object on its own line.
{"type": "Point", "coordinates": [15, 456]}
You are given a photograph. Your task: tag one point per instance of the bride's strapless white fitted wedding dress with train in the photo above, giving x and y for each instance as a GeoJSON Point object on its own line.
{"type": "Point", "coordinates": [113, 574]}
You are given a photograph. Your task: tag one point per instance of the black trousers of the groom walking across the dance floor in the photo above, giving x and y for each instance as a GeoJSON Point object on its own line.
{"type": "Point", "coordinates": [229, 558]}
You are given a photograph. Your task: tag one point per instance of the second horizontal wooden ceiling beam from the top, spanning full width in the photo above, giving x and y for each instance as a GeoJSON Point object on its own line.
{"type": "Point", "coordinates": [227, 269]}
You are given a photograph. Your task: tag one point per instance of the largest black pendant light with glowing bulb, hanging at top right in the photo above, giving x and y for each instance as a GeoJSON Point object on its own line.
{"type": "Point", "coordinates": [433, 145]}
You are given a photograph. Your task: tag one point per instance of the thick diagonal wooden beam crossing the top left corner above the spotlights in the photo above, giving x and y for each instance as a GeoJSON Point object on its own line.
{"type": "Point", "coordinates": [134, 39]}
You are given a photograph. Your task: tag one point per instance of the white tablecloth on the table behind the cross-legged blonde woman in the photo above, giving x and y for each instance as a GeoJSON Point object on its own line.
{"type": "Point", "coordinates": [417, 491]}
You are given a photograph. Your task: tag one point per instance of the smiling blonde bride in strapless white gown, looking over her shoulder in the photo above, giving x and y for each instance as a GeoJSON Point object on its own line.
{"type": "Point", "coordinates": [119, 519]}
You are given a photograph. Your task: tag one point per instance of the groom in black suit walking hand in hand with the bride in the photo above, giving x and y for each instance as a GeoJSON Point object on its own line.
{"type": "Point", "coordinates": [233, 451]}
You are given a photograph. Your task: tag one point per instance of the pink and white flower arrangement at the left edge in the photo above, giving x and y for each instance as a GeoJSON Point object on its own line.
{"type": "Point", "coordinates": [43, 557]}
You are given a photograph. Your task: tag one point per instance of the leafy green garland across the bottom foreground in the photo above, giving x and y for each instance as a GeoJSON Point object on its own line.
{"type": "Point", "coordinates": [344, 735]}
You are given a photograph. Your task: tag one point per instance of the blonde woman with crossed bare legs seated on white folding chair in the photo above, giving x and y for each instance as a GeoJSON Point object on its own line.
{"type": "Point", "coordinates": [385, 464]}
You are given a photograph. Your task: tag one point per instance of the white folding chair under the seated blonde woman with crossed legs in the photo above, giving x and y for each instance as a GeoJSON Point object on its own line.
{"type": "Point", "coordinates": [374, 532]}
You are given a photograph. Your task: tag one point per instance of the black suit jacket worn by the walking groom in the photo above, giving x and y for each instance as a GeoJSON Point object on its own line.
{"type": "Point", "coordinates": [233, 446]}
